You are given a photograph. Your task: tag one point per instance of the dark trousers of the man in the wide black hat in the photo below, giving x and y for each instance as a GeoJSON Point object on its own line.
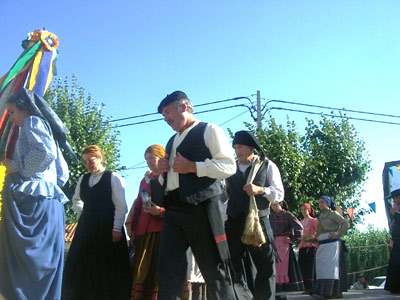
{"type": "Point", "coordinates": [262, 257]}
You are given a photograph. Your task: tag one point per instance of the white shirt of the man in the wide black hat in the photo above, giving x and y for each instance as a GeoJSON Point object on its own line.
{"type": "Point", "coordinates": [273, 189]}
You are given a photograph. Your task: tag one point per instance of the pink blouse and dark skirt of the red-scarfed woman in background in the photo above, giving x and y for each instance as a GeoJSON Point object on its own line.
{"type": "Point", "coordinates": [307, 252]}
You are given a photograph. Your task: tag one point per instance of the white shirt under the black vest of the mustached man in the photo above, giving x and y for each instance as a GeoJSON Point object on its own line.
{"type": "Point", "coordinates": [220, 166]}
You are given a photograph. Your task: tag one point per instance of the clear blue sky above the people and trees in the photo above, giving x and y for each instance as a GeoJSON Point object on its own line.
{"type": "Point", "coordinates": [130, 54]}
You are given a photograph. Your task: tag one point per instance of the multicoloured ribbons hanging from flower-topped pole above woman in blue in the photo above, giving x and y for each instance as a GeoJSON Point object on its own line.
{"type": "Point", "coordinates": [33, 70]}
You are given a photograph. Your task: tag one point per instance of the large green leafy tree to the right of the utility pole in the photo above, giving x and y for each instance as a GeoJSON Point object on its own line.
{"type": "Point", "coordinates": [328, 159]}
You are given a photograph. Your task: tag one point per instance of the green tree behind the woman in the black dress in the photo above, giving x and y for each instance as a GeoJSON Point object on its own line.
{"type": "Point", "coordinates": [87, 125]}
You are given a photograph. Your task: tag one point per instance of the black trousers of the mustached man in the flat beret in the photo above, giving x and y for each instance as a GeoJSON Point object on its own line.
{"type": "Point", "coordinates": [183, 227]}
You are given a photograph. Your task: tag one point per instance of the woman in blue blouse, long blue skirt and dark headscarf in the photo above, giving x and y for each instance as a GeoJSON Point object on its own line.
{"type": "Point", "coordinates": [32, 226]}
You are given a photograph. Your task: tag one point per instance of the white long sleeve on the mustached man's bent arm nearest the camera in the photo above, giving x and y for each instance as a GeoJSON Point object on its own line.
{"type": "Point", "coordinates": [222, 164]}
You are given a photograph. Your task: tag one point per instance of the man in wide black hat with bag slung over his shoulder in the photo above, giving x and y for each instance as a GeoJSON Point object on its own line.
{"type": "Point", "coordinates": [267, 188]}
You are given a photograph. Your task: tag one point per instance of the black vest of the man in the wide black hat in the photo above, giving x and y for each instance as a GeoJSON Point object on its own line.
{"type": "Point", "coordinates": [238, 203]}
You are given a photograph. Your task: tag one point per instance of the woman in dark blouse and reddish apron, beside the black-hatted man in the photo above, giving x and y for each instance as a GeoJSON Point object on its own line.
{"type": "Point", "coordinates": [287, 230]}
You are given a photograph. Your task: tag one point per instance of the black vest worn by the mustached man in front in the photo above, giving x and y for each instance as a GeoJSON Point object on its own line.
{"type": "Point", "coordinates": [194, 189]}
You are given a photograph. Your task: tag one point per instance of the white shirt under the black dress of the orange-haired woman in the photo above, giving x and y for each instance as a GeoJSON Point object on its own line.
{"type": "Point", "coordinates": [117, 197]}
